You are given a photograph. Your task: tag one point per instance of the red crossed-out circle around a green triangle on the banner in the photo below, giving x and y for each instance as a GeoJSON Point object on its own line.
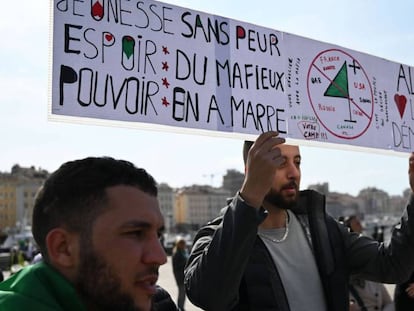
{"type": "Point", "coordinates": [340, 94]}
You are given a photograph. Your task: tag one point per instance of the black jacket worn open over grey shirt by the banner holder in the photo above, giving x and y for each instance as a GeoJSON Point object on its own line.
{"type": "Point", "coordinates": [231, 269]}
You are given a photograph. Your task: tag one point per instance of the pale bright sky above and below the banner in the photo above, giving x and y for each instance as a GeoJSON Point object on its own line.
{"type": "Point", "coordinates": [378, 27]}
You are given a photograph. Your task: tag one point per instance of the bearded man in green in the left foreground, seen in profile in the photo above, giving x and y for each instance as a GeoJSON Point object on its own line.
{"type": "Point", "coordinates": [97, 224]}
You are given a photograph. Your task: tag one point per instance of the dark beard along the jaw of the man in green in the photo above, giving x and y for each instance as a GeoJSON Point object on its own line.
{"type": "Point", "coordinates": [98, 285]}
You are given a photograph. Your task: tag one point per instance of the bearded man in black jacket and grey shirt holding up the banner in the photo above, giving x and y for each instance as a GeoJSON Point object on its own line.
{"type": "Point", "coordinates": [274, 247]}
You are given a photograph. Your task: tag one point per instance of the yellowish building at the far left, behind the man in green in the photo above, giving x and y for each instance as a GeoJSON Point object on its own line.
{"type": "Point", "coordinates": [17, 193]}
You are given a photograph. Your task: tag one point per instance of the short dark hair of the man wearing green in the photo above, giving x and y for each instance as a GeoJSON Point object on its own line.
{"type": "Point", "coordinates": [74, 195]}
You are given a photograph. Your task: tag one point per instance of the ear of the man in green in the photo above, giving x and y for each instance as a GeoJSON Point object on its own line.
{"type": "Point", "coordinates": [62, 247]}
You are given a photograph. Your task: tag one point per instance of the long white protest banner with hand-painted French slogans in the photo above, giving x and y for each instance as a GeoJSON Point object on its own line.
{"type": "Point", "coordinates": [147, 62]}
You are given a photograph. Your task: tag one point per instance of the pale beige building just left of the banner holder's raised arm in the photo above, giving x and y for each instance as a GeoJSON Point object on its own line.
{"type": "Point", "coordinates": [196, 205]}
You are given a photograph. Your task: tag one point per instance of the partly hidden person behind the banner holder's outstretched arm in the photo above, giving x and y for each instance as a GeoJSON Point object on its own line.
{"type": "Point", "coordinates": [366, 295]}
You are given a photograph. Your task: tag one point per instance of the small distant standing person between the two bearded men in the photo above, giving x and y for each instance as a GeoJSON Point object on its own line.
{"type": "Point", "coordinates": [179, 259]}
